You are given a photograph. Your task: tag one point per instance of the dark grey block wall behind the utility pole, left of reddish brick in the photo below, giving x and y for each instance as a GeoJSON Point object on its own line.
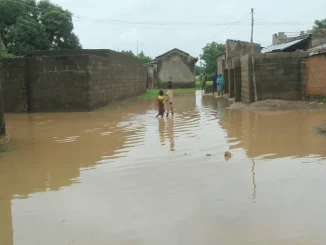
{"type": "Point", "coordinates": [278, 76]}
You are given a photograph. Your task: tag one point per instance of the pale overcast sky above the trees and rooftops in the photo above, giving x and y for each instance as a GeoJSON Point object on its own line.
{"type": "Point", "coordinates": [96, 31]}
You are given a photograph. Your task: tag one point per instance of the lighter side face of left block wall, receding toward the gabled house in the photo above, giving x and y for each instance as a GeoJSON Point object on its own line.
{"type": "Point", "coordinates": [115, 78]}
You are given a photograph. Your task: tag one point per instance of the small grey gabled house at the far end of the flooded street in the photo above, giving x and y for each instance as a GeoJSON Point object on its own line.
{"type": "Point", "coordinates": [175, 64]}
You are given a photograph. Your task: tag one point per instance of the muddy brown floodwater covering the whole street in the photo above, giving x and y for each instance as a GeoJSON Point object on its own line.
{"type": "Point", "coordinates": [122, 176]}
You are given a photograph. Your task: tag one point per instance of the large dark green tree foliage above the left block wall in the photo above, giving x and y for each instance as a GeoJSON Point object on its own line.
{"type": "Point", "coordinates": [27, 25]}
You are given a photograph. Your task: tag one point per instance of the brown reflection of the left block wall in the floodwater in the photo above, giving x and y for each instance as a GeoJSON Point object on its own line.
{"type": "Point", "coordinates": [41, 162]}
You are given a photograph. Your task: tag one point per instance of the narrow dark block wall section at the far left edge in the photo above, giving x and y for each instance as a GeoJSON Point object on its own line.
{"type": "Point", "coordinates": [14, 84]}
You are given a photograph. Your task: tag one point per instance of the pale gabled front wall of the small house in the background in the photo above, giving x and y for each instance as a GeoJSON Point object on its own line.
{"type": "Point", "coordinates": [178, 66]}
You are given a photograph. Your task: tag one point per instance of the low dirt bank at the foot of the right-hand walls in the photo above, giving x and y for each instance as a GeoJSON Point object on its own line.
{"type": "Point", "coordinates": [278, 105]}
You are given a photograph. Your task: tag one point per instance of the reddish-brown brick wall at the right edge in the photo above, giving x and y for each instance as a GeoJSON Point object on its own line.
{"type": "Point", "coordinates": [315, 84]}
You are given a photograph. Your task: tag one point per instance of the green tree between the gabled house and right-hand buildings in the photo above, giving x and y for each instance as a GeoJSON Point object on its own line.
{"type": "Point", "coordinates": [210, 53]}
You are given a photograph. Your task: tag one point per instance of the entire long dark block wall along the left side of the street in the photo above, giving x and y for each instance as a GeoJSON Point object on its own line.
{"type": "Point", "coordinates": [70, 83]}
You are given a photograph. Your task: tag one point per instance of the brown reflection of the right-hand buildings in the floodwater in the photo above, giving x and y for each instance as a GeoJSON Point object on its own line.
{"type": "Point", "coordinates": [275, 134]}
